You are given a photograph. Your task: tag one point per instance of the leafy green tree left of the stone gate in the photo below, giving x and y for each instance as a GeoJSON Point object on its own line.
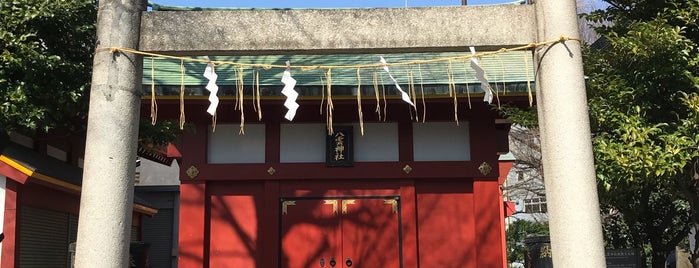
{"type": "Point", "coordinates": [45, 63]}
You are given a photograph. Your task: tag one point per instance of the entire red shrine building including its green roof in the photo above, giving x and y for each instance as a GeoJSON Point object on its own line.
{"type": "Point", "coordinates": [357, 178]}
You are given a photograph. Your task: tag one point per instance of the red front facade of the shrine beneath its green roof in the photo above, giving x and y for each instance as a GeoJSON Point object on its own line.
{"type": "Point", "coordinates": [410, 211]}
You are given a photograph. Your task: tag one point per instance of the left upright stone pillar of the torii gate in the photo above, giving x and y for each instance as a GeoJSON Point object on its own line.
{"type": "Point", "coordinates": [106, 201]}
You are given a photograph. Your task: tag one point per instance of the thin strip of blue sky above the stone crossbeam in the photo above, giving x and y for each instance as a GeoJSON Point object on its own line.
{"type": "Point", "coordinates": [321, 3]}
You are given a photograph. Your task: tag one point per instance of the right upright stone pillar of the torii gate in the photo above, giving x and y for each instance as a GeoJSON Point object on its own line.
{"type": "Point", "coordinates": [566, 144]}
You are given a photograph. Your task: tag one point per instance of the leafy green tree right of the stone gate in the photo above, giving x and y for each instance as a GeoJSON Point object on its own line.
{"type": "Point", "coordinates": [642, 91]}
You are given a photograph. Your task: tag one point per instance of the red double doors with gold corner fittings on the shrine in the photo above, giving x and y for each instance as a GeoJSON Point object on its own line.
{"type": "Point", "coordinates": [334, 232]}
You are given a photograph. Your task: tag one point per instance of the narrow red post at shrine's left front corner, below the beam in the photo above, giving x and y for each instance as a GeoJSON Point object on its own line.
{"type": "Point", "coordinates": [192, 226]}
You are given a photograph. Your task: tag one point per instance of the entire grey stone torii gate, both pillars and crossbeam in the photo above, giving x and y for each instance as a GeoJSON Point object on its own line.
{"type": "Point", "coordinates": [107, 193]}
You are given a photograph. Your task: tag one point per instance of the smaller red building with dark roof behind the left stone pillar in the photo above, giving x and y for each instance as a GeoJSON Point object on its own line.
{"type": "Point", "coordinates": [40, 182]}
